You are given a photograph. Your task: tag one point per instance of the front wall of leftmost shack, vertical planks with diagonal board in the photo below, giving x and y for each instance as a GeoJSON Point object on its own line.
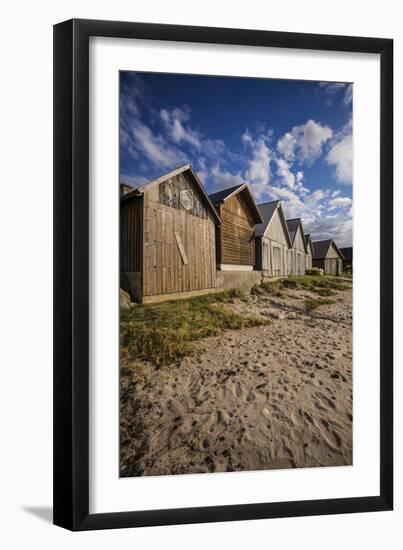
{"type": "Point", "coordinates": [179, 242]}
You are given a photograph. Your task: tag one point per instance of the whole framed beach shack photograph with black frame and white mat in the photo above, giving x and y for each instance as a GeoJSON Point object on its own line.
{"type": "Point", "coordinates": [223, 274]}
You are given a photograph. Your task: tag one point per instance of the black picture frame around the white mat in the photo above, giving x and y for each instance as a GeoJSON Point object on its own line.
{"type": "Point", "coordinates": [71, 274]}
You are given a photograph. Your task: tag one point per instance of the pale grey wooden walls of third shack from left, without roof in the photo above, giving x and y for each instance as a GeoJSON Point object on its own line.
{"type": "Point", "coordinates": [272, 249]}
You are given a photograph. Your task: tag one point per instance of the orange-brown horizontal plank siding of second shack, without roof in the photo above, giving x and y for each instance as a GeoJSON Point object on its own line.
{"type": "Point", "coordinates": [235, 237]}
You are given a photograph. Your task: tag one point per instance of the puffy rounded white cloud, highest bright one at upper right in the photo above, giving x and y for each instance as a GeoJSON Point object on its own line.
{"type": "Point", "coordinates": [304, 143]}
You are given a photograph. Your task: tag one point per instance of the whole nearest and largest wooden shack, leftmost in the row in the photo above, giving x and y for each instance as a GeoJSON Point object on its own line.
{"type": "Point", "coordinates": [167, 237]}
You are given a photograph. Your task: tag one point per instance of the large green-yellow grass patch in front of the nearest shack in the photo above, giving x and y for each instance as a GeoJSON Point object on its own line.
{"type": "Point", "coordinates": [162, 333]}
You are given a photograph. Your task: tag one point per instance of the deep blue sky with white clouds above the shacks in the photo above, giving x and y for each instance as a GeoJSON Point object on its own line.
{"type": "Point", "coordinates": [288, 139]}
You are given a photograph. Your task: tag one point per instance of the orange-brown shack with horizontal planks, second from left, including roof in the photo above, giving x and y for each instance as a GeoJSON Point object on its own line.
{"type": "Point", "coordinates": [235, 237]}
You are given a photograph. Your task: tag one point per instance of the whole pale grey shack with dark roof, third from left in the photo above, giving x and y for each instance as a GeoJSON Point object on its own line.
{"type": "Point", "coordinates": [272, 241]}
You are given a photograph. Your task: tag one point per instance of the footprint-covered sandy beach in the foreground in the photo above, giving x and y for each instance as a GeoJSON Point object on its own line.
{"type": "Point", "coordinates": [265, 397]}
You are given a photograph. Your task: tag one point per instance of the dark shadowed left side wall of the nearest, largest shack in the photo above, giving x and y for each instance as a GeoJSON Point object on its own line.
{"type": "Point", "coordinates": [131, 234]}
